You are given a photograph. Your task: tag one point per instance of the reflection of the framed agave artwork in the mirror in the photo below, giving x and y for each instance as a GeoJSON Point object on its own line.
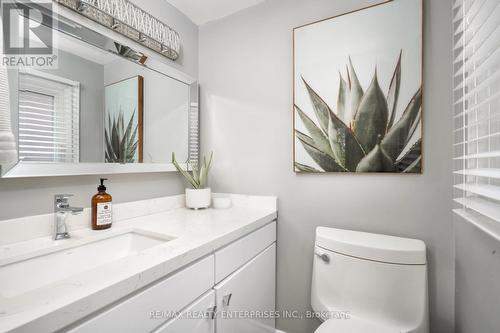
{"type": "Point", "coordinates": [123, 118]}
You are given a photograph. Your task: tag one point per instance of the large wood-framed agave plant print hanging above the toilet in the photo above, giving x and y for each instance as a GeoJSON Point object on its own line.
{"type": "Point", "coordinates": [358, 91]}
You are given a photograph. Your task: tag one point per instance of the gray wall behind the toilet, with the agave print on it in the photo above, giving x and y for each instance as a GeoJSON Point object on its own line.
{"type": "Point", "coordinates": [246, 86]}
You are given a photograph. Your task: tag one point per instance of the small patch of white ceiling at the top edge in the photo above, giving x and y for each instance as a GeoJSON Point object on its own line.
{"type": "Point", "coordinates": [203, 11]}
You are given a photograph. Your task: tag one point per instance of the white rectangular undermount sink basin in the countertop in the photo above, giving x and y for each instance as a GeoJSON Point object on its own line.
{"type": "Point", "coordinates": [38, 271]}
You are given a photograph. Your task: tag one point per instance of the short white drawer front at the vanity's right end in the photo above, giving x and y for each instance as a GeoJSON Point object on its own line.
{"type": "Point", "coordinates": [235, 255]}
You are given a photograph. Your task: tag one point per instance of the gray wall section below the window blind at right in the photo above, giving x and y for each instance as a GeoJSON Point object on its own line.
{"type": "Point", "coordinates": [477, 274]}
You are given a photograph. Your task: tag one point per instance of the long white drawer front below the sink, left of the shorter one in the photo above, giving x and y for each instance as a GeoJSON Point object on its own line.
{"type": "Point", "coordinates": [134, 315]}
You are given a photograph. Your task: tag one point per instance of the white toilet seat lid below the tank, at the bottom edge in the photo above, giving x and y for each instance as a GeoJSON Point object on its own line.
{"type": "Point", "coordinates": [354, 325]}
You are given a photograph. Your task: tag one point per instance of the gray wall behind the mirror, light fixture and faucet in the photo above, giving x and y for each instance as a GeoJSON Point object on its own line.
{"type": "Point", "coordinates": [26, 197]}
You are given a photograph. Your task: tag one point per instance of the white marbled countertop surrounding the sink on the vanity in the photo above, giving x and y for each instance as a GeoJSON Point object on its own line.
{"type": "Point", "coordinates": [196, 234]}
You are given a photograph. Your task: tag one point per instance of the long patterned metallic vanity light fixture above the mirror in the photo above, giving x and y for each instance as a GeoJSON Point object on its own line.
{"type": "Point", "coordinates": [130, 21]}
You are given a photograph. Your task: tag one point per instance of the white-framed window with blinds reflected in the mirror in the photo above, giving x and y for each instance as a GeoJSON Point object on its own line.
{"type": "Point", "coordinates": [48, 118]}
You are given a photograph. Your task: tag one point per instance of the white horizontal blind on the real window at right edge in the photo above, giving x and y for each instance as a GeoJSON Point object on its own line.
{"type": "Point", "coordinates": [476, 109]}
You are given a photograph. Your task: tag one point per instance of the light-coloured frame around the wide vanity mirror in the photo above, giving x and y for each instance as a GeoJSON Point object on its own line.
{"type": "Point", "coordinates": [79, 27]}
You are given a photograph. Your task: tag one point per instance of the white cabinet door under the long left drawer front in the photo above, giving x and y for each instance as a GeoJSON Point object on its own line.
{"type": "Point", "coordinates": [191, 319]}
